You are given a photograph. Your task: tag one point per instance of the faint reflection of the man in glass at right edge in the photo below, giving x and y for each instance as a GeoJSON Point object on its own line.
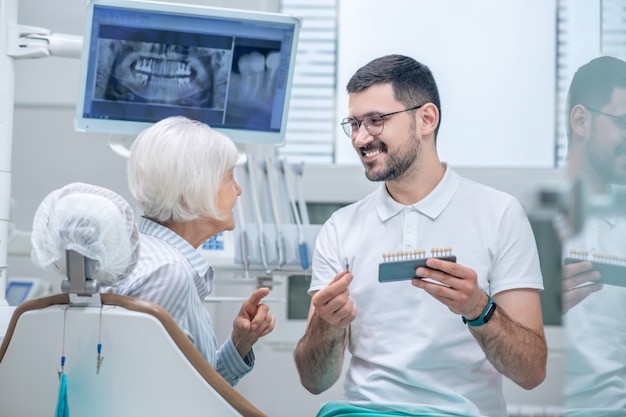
{"type": "Point", "coordinates": [594, 254]}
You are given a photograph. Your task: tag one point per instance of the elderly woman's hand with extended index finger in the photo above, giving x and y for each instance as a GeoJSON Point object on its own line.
{"type": "Point", "coordinates": [253, 321]}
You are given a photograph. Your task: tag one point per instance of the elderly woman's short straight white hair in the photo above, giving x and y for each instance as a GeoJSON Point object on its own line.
{"type": "Point", "coordinates": [175, 169]}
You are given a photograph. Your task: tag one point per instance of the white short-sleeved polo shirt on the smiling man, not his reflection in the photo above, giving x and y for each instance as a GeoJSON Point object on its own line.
{"type": "Point", "coordinates": [410, 353]}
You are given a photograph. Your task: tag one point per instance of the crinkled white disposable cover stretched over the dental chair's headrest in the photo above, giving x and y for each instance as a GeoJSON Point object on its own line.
{"type": "Point", "coordinates": [93, 221]}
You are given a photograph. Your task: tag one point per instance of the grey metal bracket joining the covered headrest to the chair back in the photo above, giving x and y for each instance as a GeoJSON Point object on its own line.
{"type": "Point", "coordinates": [80, 285]}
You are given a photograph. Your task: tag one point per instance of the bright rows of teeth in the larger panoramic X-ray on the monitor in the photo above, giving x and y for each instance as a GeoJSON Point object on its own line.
{"type": "Point", "coordinates": [163, 72]}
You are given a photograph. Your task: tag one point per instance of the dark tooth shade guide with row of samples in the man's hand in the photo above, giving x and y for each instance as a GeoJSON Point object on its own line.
{"type": "Point", "coordinates": [399, 266]}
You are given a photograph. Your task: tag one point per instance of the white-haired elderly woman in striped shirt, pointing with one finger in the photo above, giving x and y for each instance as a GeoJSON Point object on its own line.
{"type": "Point", "coordinates": [180, 171]}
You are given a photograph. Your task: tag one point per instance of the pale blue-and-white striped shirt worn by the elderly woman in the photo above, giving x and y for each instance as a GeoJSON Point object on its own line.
{"type": "Point", "coordinates": [171, 273]}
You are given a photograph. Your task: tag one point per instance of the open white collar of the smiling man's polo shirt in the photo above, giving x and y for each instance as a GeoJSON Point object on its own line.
{"type": "Point", "coordinates": [431, 206]}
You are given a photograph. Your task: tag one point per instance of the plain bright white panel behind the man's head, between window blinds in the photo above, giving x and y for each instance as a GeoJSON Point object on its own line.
{"type": "Point", "coordinates": [494, 63]}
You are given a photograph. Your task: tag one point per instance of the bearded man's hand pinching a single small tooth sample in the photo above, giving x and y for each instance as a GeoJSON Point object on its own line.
{"type": "Point", "coordinates": [333, 304]}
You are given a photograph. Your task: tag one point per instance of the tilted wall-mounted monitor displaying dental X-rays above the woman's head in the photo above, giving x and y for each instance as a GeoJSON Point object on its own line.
{"type": "Point", "coordinates": [144, 61]}
